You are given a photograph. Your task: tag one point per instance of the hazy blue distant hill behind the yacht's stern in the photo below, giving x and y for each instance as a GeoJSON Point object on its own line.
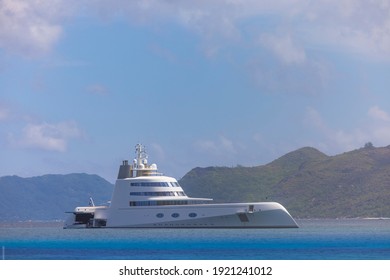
{"type": "Point", "coordinates": [48, 197]}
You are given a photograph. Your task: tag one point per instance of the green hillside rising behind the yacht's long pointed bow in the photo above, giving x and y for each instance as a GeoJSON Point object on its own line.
{"type": "Point", "coordinates": [307, 182]}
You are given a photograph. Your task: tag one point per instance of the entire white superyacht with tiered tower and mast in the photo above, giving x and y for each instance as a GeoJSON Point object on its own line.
{"type": "Point", "coordinates": [142, 197]}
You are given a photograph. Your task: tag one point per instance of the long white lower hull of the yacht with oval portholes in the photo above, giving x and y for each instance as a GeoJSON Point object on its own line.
{"type": "Point", "coordinates": [228, 215]}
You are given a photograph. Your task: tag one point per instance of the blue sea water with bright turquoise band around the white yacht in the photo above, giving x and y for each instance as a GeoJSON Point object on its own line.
{"type": "Point", "coordinates": [350, 239]}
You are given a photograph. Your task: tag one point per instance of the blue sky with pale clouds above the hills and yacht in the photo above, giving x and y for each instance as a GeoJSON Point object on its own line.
{"type": "Point", "coordinates": [199, 83]}
